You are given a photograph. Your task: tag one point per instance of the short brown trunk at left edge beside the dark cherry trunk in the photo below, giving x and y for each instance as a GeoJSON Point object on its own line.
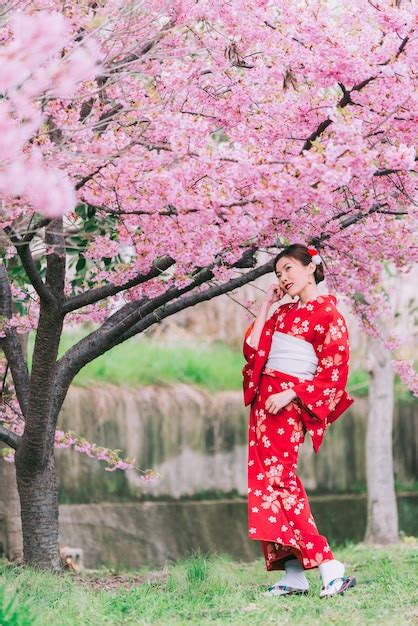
{"type": "Point", "coordinates": [11, 508]}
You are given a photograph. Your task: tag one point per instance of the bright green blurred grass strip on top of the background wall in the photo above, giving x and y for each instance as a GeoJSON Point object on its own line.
{"type": "Point", "coordinates": [212, 365]}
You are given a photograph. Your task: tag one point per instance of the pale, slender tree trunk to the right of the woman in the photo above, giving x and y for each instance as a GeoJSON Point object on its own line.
{"type": "Point", "coordinates": [382, 512]}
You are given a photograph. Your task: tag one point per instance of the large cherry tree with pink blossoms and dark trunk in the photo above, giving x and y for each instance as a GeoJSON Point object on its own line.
{"type": "Point", "coordinates": [150, 149]}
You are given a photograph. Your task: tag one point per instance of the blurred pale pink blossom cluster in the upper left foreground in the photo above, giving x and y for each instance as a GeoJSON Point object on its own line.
{"type": "Point", "coordinates": [33, 67]}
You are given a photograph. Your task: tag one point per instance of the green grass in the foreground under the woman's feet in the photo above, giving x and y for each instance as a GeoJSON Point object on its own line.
{"type": "Point", "coordinates": [214, 589]}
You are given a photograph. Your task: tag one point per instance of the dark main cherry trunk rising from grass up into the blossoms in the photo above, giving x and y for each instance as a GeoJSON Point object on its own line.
{"type": "Point", "coordinates": [35, 463]}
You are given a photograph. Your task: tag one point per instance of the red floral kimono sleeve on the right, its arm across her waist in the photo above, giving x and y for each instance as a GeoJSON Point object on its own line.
{"type": "Point", "coordinates": [321, 395]}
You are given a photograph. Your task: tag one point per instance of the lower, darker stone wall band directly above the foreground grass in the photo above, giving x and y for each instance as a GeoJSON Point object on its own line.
{"type": "Point", "coordinates": [151, 533]}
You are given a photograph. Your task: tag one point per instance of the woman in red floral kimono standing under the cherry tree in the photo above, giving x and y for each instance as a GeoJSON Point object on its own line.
{"type": "Point", "coordinates": [294, 379]}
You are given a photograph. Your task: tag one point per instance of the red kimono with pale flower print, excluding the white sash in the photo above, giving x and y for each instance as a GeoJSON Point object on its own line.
{"type": "Point", "coordinates": [279, 515]}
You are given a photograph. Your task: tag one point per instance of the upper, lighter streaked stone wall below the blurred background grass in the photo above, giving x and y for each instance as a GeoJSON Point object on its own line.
{"type": "Point", "coordinates": [197, 441]}
